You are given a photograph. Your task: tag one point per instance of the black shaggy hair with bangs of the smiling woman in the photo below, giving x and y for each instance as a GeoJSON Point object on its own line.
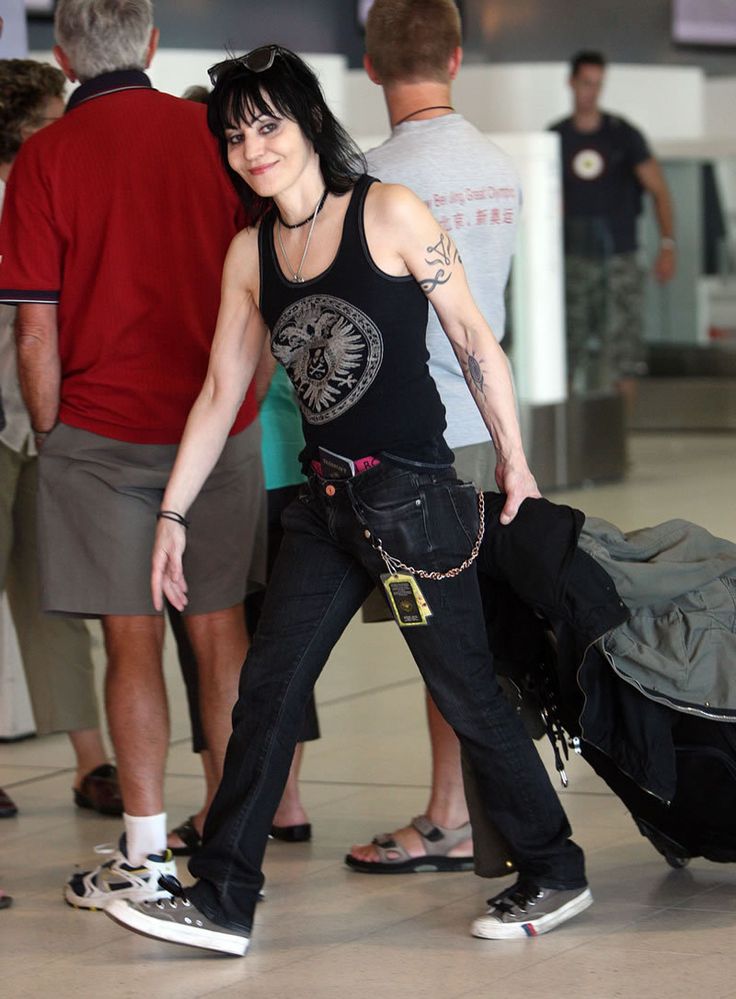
{"type": "Point", "coordinates": [287, 89]}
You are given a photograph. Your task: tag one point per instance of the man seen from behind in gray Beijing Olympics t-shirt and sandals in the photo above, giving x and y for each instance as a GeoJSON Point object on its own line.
{"type": "Point", "coordinates": [471, 187]}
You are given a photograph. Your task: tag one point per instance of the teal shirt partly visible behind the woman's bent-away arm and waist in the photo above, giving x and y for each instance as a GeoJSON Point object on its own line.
{"type": "Point", "coordinates": [282, 438]}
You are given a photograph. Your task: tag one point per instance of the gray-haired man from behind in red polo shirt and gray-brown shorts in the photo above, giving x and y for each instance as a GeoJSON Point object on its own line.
{"type": "Point", "coordinates": [116, 224]}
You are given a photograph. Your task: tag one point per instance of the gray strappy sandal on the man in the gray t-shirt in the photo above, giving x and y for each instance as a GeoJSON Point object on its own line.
{"type": "Point", "coordinates": [437, 840]}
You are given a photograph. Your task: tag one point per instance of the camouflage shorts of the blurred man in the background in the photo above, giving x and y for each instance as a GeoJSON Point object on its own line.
{"type": "Point", "coordinates": [604, 300]}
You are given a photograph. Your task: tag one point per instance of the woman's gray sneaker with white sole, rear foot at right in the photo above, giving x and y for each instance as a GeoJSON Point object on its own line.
{"type": "Point", "coordinates": [525, 910]}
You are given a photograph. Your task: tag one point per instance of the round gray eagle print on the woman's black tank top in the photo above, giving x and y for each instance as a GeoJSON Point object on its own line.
{"type": "Point", "coordinates": [332, 352]}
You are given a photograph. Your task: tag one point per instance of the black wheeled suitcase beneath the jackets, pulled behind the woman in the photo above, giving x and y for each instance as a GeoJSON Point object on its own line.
{"type": "Point", "coordinates": [678, 779]}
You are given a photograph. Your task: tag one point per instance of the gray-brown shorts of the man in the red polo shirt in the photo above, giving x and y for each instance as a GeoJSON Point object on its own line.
{"type": "Point", "coordinates": [97, 505]}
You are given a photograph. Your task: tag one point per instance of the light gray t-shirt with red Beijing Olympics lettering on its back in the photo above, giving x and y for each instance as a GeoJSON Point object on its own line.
{"type": "Point", "coordinates": [472, 189]}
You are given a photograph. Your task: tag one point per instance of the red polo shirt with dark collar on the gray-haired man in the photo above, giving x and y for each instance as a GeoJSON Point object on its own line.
{"type": "Point", "coordinates": [121, 215]}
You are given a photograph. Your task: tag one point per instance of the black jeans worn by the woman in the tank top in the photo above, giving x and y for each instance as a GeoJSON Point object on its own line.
{"type": "Point", "coordinates": [324, 571]}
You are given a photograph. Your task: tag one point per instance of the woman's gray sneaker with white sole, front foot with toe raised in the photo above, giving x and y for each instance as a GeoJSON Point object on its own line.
{"type": "Point", "coordinates": [176, 919]}
